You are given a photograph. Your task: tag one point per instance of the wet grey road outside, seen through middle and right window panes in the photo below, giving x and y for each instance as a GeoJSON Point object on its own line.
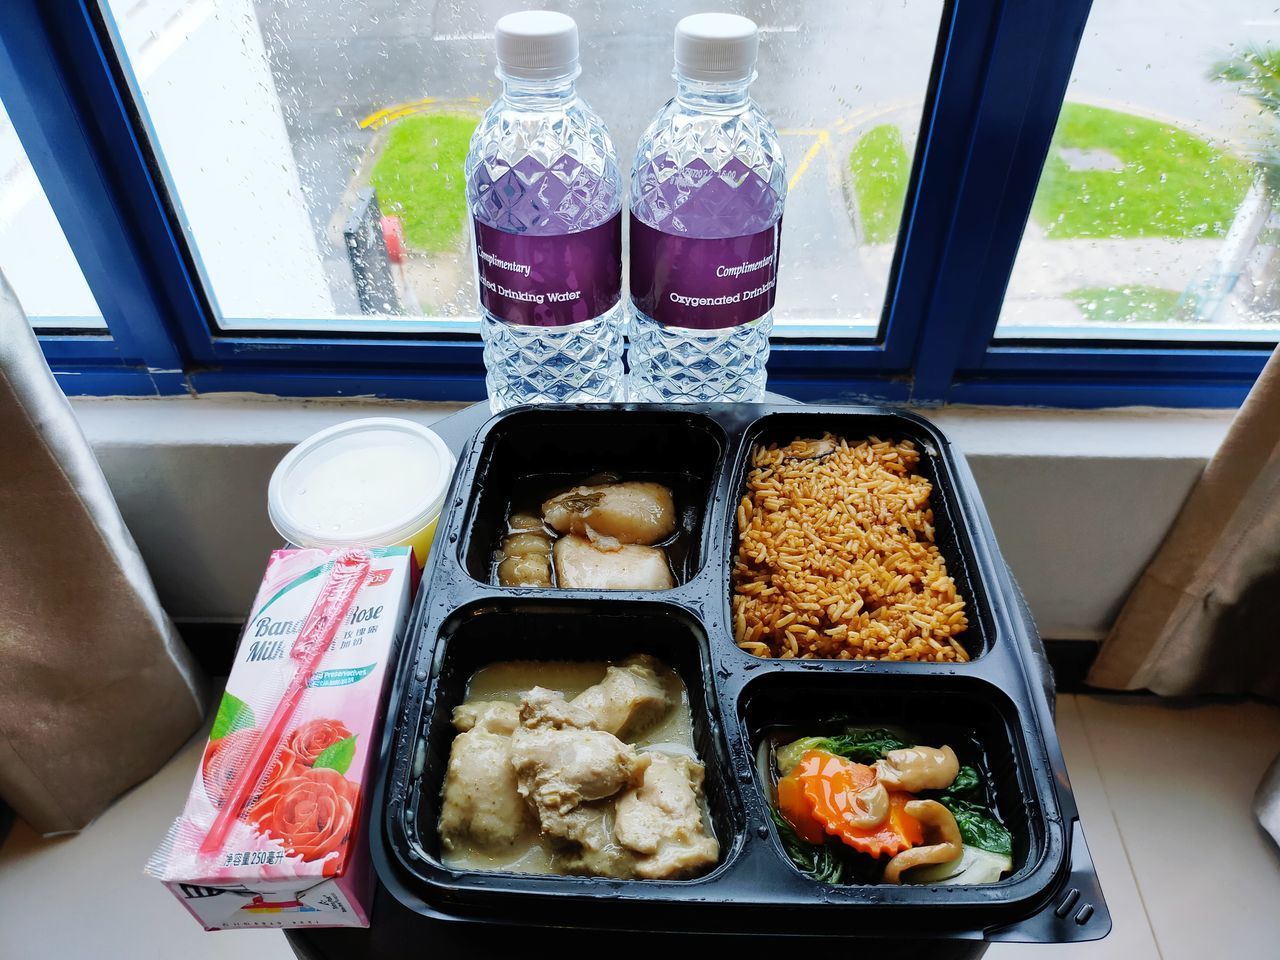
{"type": "Point", "coordinates": [825, 68]}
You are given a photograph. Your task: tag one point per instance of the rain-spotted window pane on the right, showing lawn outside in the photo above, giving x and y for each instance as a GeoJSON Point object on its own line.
{"type": "Point", "coordinates": [1156, 212]}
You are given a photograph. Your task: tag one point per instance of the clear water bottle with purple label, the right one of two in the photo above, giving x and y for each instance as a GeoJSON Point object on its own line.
{"type": "Point", "coordinates": [707, 194]}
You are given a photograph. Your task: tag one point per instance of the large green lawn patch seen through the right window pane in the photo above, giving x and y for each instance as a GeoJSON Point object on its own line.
{"type": "Point", "coordinates": [1173, 184]}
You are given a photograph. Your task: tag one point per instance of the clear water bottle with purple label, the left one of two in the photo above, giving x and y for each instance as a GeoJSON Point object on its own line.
{"type": "Point", "coordinates": [546, 200]}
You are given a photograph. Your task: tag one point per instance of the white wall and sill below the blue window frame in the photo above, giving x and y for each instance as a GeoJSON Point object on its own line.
{"type": "Point", "coordinates": [1078, 500]}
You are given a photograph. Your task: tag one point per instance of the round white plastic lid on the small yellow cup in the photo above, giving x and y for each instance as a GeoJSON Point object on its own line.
{"type": "Point", "coordinates": [365, 483]}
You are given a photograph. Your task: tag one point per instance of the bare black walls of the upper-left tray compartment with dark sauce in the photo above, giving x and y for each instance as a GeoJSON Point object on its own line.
{"type": "Point", "coordinates": [537, 450]}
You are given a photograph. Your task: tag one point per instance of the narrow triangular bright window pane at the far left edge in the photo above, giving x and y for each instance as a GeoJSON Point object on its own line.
{"type": "Point", "coordinates": [34, 253]}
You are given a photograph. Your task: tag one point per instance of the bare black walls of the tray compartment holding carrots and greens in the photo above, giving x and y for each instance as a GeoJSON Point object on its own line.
{"type": "Point", "coordinates": [975, 717]}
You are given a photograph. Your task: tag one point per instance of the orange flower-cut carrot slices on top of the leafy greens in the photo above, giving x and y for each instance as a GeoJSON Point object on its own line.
{"type": "Point", "coordinates": [829, 787]}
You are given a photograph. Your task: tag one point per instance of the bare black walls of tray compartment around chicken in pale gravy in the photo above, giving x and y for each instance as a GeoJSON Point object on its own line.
{"type": "Point", "coordinates": [557, 630]}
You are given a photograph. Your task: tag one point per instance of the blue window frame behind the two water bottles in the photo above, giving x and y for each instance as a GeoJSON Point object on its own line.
{"type": "Point", "coordinates": [1000, 75]}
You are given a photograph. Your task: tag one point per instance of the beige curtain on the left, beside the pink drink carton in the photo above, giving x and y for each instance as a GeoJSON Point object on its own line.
{"type": "Point", "coordinates": [97, 691]}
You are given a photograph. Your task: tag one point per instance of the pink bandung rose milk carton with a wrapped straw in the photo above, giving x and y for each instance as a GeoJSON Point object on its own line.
{"type": "Point", "coordinates": [273, 833]}
